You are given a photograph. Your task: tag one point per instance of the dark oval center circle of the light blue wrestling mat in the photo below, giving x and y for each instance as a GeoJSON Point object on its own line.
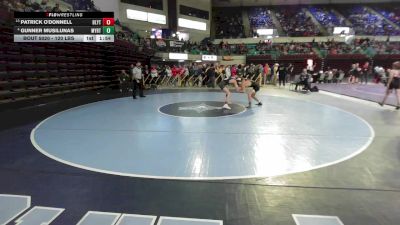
{"type": "Point", "coordinates": [201, 109]}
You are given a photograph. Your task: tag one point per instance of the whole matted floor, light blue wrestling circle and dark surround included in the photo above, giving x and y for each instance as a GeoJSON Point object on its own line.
{"type": "Point", "coordinates": [175, 154]}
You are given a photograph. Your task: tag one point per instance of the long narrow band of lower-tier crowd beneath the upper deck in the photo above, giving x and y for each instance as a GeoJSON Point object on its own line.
{"type": "Point", "coordinates": [357, 46]}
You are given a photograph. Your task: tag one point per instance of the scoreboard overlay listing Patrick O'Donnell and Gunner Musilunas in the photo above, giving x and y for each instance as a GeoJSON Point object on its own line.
{"type": "Point", "coordinates": [64, 27]}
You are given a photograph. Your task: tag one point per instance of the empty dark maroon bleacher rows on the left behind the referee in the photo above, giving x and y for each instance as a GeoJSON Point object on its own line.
{"type": "Point", "coordinates": [35, 70]}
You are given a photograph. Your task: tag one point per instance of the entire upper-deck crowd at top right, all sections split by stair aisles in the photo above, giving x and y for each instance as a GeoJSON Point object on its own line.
{"type": "Point", "coordinates": [296, 22]}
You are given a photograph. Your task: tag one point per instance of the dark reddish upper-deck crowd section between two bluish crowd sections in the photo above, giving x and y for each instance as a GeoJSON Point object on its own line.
{"type": "Point", "coordinates": [296, 23]}
